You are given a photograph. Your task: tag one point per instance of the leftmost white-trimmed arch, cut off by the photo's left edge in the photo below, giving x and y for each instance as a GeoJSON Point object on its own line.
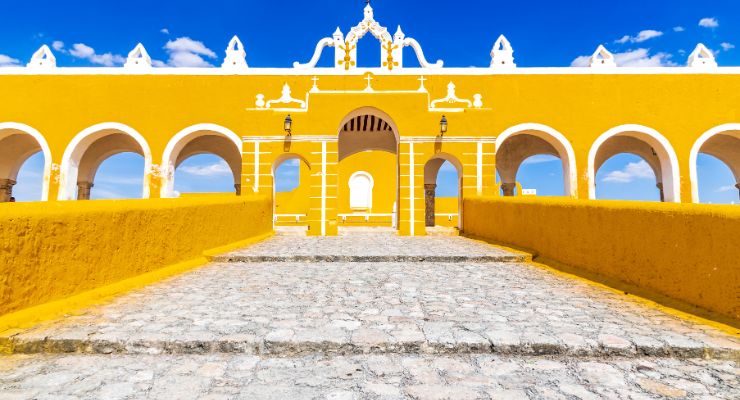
{"type": "Point", "coordinates": [18, 144]}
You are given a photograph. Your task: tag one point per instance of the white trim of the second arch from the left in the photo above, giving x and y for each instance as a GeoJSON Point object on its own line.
{"type": "Point", "coordinates": [72, 157]}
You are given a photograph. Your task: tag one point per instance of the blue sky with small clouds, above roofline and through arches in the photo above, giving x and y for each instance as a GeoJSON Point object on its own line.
{"type": "Point", "coordinates": [543, 33]}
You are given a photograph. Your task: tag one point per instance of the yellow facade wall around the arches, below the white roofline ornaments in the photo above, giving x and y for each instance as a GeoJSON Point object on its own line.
{"type": "Point", "coordinates": [580, 107]}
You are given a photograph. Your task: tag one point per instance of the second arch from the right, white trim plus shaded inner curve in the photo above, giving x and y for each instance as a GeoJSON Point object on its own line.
{"type": "Point", "coordinates": [666, 169]}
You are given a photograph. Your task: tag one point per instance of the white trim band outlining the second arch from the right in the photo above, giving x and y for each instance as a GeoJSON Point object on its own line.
{"type": "Point", "coordinates": [661, 145]}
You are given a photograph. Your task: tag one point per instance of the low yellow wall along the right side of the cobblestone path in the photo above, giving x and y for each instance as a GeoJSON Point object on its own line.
{"type": "Point", "coordinates": [685, 252]}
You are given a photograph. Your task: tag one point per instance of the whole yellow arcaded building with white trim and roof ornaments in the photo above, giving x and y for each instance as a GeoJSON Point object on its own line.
{"type": "Point", "coordinates": [370, 141]}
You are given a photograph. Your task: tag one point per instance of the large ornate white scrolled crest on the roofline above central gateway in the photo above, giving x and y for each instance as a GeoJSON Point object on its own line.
{"type": "Point", "coordinates": [391, 47]}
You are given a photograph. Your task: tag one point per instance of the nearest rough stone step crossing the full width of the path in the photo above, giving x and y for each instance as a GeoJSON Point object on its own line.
{"type": "Point", "coordinates": [293, 344]}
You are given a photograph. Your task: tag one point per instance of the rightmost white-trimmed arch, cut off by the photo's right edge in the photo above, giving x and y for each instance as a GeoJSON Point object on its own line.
{"type": "Point", "coordinates": [719, 145]}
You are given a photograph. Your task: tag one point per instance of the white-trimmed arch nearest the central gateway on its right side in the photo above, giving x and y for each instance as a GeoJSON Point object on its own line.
{"type": "Point", "coordinates": [524, 142]}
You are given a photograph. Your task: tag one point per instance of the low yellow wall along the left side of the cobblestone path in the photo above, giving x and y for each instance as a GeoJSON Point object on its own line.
{"type": "Point", "coordinates": [49, 251]}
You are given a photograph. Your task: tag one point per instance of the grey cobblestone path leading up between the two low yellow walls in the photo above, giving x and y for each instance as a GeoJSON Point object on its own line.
{"type": "Point", "coordinates": [371, 316]}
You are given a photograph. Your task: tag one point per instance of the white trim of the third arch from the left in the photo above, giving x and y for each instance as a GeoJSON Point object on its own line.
{"type": "Point", "coordinates": [182, 138]}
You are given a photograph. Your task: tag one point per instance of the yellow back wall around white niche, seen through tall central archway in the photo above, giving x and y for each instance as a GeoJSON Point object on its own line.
{"type": "Point", "coordinates": [382, 166]}
